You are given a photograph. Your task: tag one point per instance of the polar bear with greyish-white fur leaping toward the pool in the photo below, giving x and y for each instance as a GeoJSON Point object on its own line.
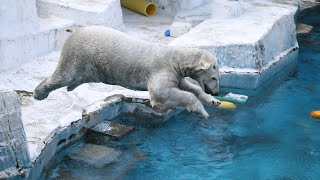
{"type": "Point", "coordinates": [101, 54]}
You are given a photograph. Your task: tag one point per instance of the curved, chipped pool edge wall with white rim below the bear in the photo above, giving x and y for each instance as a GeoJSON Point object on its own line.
{"type": "Point", "coordinates": [103, 110]}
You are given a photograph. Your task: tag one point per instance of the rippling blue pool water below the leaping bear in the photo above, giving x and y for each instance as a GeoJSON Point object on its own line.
{"type": "Point", "coordinates": [269, 137]}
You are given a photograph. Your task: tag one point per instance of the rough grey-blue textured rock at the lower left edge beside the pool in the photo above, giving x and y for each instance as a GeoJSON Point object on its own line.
{"type": "Point", "coordinates": [14, 155]}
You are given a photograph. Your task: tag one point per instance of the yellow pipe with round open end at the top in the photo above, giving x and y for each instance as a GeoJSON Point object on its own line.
{"type": "Point", "coordinates": [141, 6]}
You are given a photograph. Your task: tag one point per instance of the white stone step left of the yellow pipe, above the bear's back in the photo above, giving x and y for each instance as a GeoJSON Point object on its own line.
{"type": "Point", "coordinates": [84, 12]}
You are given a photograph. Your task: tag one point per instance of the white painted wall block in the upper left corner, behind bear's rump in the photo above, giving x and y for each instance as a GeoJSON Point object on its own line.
{"type": "Point", "coordinates": [23, 35]}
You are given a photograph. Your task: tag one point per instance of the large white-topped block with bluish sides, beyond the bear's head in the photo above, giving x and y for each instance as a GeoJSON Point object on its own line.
{"type": "Point", "coordinates": [248, 45]}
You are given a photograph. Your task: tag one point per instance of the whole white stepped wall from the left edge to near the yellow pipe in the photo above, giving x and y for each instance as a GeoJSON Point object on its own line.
{"type": "Point", "coordinates": [35, 28]}
